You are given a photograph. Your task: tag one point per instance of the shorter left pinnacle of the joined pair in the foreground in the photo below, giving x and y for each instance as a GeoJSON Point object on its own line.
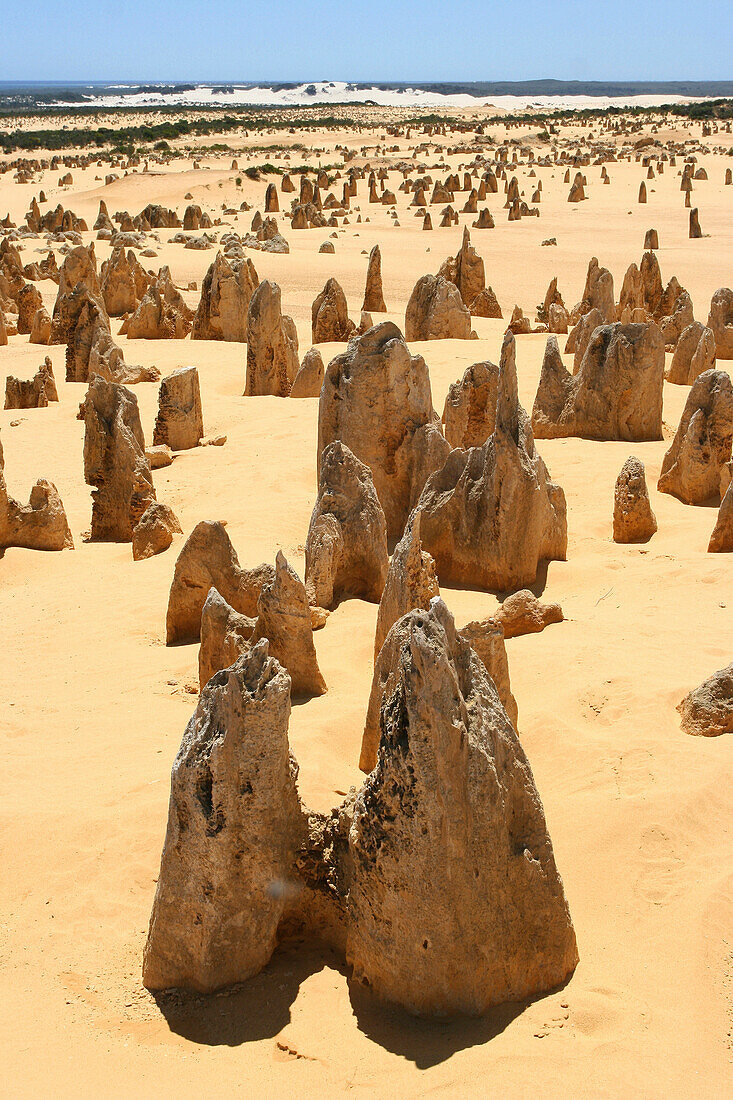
{"type": "Point", "coordinates": [235, 828]}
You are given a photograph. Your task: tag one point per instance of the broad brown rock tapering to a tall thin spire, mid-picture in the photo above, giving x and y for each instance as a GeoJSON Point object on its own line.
{"type": "Point", "coordinates": [491, 515]}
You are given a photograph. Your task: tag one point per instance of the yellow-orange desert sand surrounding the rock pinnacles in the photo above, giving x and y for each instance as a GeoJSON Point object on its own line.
{"type": "Point", "coordinates": [94, 705]}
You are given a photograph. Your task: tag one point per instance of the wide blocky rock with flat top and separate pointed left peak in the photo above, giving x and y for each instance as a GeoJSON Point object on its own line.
{"type": "Point", "coordinates": [617, 393]}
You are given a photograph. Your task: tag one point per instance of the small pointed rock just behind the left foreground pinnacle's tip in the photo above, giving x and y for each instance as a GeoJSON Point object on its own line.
{"type": "Point", "coordinates": [285, 620]}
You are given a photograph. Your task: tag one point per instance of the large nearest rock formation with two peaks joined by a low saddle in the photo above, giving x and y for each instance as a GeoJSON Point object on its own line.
{"type": "Point", "coordinates": [437, 881]}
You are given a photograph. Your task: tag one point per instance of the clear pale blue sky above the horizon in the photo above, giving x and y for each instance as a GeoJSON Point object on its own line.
{"type": "Point", "coordinates": [367, 40]}
